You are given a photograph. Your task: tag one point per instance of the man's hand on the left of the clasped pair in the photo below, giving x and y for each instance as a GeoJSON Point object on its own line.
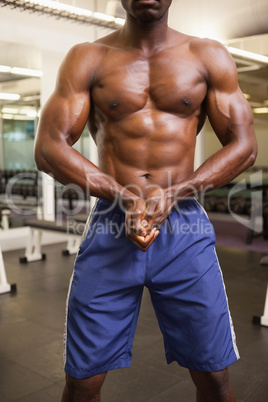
{"type": "Point", "coordinates": [134, 225]}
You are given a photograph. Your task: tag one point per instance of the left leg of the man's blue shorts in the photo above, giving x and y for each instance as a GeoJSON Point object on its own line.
{"type": "Point", "coordinates": [103, 302]}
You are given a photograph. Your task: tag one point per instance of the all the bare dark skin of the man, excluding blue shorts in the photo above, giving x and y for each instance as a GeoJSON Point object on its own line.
{"type": "Point", "coordinates": [145, 91]}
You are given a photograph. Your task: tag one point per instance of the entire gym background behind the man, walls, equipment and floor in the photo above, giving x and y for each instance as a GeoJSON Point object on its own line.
{"type": "Point", "coordinates": [42, 220]}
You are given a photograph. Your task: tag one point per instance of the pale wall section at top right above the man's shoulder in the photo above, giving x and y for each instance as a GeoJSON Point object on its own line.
{"type": "Point", "coordinates": [224, 19]}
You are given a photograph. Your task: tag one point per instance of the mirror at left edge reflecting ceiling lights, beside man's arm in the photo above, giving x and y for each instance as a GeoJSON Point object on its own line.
{"type": "Point", "coordinates": [20, 71]}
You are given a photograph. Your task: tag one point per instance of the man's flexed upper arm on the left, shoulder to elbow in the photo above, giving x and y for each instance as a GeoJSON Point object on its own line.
{"type": "Point", "coordinates": [65, 114]}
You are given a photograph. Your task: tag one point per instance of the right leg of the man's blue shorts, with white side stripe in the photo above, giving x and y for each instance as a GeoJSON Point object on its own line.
{"type": "Point", "coordinates": [189, 298]}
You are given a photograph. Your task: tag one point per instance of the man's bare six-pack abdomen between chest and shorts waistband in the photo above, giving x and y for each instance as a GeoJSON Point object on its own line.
{"type": "Point", "coordinates": [147, 149]}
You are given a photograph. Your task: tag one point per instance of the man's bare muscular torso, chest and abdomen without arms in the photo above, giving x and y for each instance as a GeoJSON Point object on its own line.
{"type": "Point", "coordinates": [145, 115]}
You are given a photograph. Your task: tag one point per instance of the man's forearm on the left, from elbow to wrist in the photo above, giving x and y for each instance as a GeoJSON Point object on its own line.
{"type": "Point", "coordinates": [68, 166]}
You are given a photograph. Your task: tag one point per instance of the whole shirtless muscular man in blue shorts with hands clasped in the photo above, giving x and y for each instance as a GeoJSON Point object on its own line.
{"type": "Point", "coordinates": [145, 91]}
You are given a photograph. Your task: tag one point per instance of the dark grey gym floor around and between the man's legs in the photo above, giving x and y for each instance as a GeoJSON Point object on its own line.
{"type": "Point", "coordinates": [31, 327]}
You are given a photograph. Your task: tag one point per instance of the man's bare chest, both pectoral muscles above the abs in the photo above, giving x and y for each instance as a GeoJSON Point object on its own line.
{"type": "Point", "coordinates": [167, 82]}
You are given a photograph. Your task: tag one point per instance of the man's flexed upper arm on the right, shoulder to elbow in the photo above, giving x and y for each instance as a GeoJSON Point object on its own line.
{"type": "Point", "coordinates": [227, 109]}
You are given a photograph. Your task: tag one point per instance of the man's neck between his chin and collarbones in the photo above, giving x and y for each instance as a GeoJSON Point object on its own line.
{"type": "Point", "coordinates": [146, 36]}
